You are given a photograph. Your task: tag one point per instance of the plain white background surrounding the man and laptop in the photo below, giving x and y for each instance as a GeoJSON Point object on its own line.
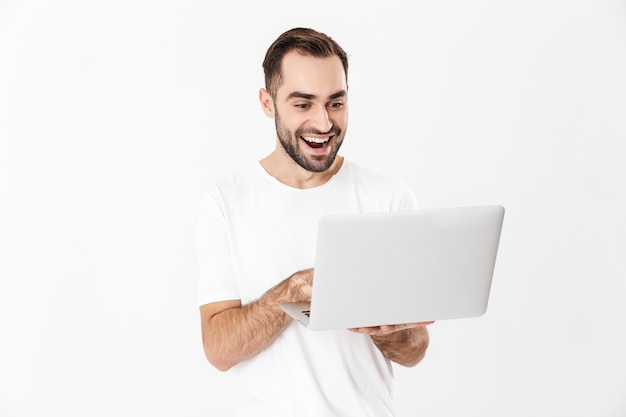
{"type": "Point", "coordinates": [113, 114]}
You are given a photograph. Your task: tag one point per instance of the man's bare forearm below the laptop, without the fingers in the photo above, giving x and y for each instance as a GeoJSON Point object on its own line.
{"type": "Point", "coordinates": [405, 347]}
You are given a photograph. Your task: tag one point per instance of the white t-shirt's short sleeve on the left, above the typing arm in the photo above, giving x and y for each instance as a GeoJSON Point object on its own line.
{"type": "Point", "coordinates": [216, 274]}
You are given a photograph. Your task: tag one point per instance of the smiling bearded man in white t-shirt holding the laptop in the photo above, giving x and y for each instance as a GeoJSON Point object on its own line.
{"type": "Point", "coordinates": [257, 232]}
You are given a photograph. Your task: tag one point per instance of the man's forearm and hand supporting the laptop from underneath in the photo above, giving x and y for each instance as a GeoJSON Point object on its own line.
{"type": "Point", "coordinates": [404, 344]}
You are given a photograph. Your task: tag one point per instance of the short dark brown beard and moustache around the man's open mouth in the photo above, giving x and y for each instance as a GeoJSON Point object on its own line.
{"type": "Point", "coordinates": [291, 144]}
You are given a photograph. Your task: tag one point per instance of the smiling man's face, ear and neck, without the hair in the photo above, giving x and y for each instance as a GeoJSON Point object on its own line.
{"type": "Point", "coordinates": [310, 111]}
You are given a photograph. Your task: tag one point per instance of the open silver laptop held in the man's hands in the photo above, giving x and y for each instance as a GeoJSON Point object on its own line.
{"type": "Point", "coordinates": [400, 267]}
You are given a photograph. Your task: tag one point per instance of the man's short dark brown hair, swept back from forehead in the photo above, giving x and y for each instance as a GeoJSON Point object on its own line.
{"type": "Point", "coordinates": [305, 41]}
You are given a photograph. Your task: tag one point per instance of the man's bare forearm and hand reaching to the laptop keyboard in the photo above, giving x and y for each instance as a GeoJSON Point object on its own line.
{"type": "Point", "coordinates": [232, 333]}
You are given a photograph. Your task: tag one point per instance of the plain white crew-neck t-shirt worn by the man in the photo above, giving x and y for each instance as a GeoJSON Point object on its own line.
{"type": "Point", "coordinates": [255, 231]}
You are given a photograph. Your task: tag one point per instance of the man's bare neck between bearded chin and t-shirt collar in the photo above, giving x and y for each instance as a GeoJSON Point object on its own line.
{"type": "Point", "coordinates": [287, 171]}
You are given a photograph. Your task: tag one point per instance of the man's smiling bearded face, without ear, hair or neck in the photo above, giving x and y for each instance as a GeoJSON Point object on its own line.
{"type": "Point", "coordinates": [311, 110]}
